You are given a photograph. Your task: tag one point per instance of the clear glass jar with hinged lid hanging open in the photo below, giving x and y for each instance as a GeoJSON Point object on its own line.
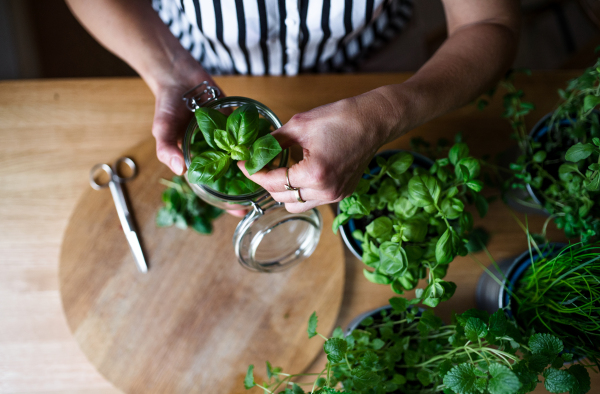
{"type": "Point", "coordinates": [268, 238]}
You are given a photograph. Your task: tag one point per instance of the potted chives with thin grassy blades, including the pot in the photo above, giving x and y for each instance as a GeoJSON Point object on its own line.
{"type": "Point", "coordinates": [550, 289]}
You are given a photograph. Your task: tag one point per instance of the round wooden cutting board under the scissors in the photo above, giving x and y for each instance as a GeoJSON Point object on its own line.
{"type": "Point", "coordinates": [197, 319]}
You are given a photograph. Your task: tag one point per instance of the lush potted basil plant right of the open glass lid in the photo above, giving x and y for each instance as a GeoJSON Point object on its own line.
{"type": "Point", "coordinates": [417, 222]}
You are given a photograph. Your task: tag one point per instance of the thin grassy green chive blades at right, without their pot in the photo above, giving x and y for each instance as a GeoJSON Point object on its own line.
{"type": "Point", "coordinates": [560, 295]}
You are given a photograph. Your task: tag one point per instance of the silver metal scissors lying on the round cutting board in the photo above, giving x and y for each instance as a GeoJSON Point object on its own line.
{"type": "Point", "coordinates": [114, 184]}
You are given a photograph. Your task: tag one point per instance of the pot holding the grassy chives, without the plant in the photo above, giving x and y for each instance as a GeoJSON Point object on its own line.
{"type": "Point", "coordinates": [491, 295]}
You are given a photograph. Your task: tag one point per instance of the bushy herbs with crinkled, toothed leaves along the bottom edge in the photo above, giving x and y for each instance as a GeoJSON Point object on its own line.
{"type": "Point", "coordinates": [399, 351]}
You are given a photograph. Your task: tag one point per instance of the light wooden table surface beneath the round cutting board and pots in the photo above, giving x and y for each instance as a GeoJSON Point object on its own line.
{"type": "Point", "coordinates": [51, 132]}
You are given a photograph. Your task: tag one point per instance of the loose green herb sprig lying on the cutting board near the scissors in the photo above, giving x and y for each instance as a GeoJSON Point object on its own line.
{"type": "Point", "coordinates": [184, 209]}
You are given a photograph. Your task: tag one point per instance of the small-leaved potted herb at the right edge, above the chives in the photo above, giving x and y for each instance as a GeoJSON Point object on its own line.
{"type": "Point", "coordinates": [559, 164]}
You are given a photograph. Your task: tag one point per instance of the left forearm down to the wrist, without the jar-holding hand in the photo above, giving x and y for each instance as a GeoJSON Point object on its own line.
{"type": "Point", "coordinates": [133, 31]}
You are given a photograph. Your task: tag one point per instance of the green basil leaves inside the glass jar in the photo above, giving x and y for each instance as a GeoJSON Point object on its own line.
{"type": "Point", "coordinates": [222, 141]}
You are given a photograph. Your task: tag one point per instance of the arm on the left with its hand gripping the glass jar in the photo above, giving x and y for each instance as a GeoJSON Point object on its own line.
{"type": "Point", "coordinates": [133, 31]}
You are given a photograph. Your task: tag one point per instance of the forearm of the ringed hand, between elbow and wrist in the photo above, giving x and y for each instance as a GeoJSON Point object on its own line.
{"type": "Point", "coordinates": [471, 61]}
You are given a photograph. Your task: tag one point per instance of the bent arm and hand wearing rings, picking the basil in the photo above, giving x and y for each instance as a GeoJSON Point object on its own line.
{"type": "Point", "coordinates": [339, 139]}
